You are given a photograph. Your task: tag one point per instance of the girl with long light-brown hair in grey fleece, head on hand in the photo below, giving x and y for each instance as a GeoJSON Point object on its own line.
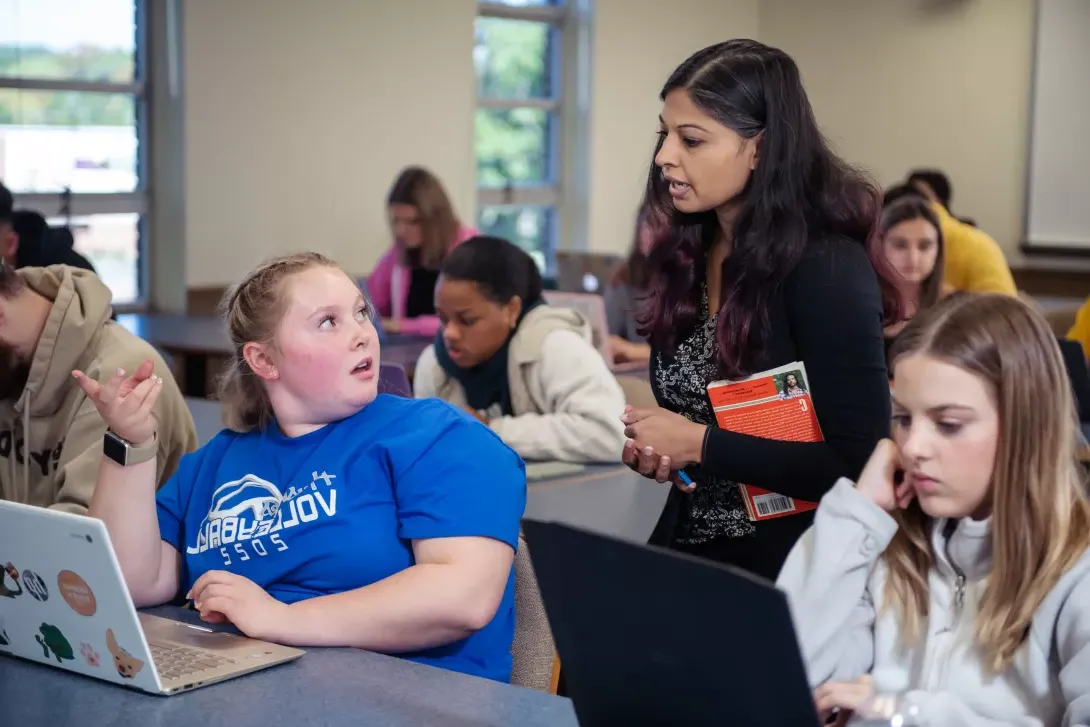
{"type": "Point", "coordinates": [966, 581]}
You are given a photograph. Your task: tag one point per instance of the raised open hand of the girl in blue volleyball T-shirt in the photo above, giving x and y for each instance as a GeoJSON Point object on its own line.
{"type": "Point", "coordinates": [126, 404]}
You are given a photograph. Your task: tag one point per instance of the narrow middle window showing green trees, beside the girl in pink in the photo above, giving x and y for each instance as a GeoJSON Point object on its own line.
{"type": "Point", "coordinates": [524, 56]}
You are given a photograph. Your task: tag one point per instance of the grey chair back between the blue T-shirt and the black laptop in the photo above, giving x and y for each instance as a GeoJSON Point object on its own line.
{"type": "Point", "coordinates": [535, 663]}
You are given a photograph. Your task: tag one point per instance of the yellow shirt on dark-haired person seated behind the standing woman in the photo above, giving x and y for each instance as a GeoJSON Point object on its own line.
{"type": "Point", "coordinates": [975, 263]}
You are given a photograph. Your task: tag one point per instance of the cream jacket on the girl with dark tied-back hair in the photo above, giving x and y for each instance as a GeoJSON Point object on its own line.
{"type": "Point", "coordinates": [566, 403]}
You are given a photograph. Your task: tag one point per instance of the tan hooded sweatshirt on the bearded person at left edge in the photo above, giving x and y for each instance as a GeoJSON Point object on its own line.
{"type": "Point", "coordinates": [52, 437]}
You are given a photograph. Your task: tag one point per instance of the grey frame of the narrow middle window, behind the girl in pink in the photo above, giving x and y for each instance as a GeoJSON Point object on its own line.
{"type": "Point", "coordinates": [564, 195]}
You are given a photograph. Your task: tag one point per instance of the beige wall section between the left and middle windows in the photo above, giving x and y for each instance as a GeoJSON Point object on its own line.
{"type": "Point", "coordinates": [297, 123]}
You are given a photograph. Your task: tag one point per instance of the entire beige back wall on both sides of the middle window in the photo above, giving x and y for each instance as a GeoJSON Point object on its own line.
{"type": "Point", "coordinates": [297, 122]}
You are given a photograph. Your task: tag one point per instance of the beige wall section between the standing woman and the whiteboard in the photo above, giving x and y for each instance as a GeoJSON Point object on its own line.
{"type": "Point", "coordinates": [897, 86]}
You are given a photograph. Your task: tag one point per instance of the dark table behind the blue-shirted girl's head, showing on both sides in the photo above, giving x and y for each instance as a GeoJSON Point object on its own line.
{"type": "Point", "coordinates": [197, 340]}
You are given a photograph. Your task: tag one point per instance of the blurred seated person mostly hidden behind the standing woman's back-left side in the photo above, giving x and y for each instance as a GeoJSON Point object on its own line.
{"type": "Point", "coordinates": [625, 294]}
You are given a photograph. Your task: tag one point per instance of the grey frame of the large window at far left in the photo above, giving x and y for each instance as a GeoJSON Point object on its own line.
{"type": "Point", "coordinates": [82, 204]}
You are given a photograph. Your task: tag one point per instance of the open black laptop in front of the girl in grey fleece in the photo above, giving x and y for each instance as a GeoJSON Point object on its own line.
{"type": "Point", "coordinates": [651, 637]}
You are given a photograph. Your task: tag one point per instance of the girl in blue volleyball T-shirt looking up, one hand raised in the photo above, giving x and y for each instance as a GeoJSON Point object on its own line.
{"type": "Point", "coordinates": [328, 515]}
